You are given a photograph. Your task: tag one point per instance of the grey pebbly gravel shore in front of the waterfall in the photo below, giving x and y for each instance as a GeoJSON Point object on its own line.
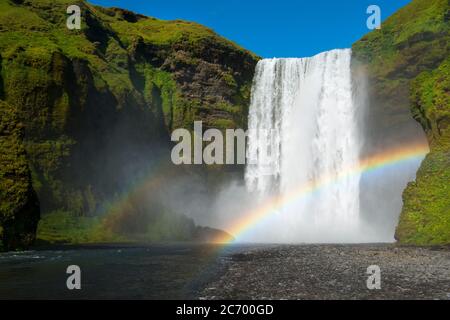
{"type": "Point", "coordinates": [333, 272]}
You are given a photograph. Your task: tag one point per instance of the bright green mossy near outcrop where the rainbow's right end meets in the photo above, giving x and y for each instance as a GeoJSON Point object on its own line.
{"type": "Point", "coordinates": [426, 213]}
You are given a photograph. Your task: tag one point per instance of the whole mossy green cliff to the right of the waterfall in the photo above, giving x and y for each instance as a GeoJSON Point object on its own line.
{"type": "Point", "coordinates": [408, 64]}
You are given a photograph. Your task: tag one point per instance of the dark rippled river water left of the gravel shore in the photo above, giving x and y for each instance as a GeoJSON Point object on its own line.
{"type": "Point", "coordinates": [172, 271]}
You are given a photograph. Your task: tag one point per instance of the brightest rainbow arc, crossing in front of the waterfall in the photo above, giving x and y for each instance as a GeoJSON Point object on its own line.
{"type": "Point", "coordinates": [272, 205]}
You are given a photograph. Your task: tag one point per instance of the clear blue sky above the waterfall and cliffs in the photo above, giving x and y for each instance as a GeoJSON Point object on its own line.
{"type": "Point", "coordinates": [282, 28]}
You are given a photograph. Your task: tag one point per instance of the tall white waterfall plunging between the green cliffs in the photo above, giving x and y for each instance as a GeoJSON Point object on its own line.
{"type": "Point", "coordinates": [303, 130]}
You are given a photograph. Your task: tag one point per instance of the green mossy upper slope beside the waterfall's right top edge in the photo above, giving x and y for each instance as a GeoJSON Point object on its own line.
{"type": "Point", "coordinates": [411, 40]}
